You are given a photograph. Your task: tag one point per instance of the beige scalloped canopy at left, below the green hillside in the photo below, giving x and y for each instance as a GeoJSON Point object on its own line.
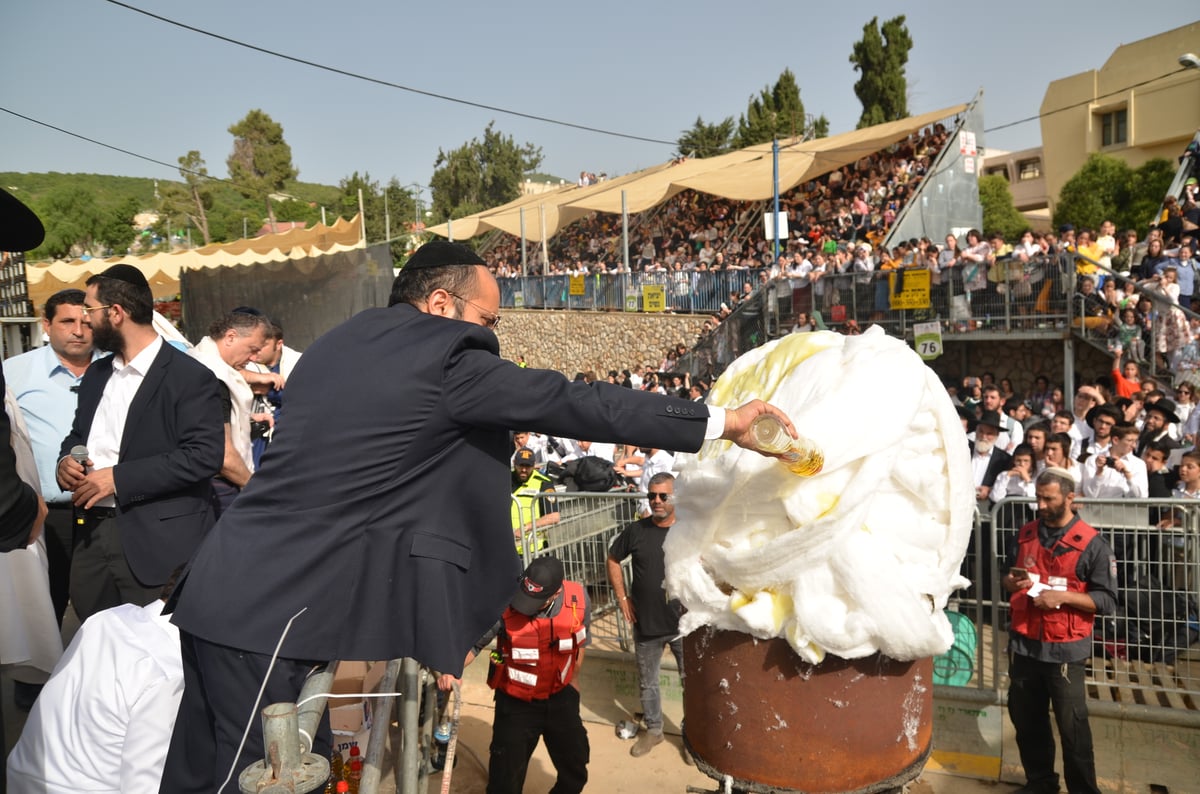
{"type": "Point", "coordinates": [163, 269]}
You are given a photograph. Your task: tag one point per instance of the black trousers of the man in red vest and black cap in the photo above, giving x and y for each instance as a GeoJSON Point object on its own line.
{"type": "Point", "coordinates": [515, 733]}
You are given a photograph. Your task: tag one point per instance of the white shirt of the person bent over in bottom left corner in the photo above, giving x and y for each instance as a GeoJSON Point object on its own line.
{"type": "Point", "coordinates": [104, 721]}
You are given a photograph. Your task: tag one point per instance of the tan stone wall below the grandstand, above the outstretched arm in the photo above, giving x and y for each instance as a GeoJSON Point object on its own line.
{"type": "Point", "coordinates": [602, 341]}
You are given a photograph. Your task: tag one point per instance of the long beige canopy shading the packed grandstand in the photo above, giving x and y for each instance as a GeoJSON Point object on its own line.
{"type": "Point", "coordinates": [745, 176]}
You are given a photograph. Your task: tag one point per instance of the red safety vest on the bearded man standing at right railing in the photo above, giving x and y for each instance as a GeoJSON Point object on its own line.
{"type": "Point", "coordinates": [1066, 624]}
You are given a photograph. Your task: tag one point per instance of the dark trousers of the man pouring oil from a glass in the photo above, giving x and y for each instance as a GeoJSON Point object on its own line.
{"type": "Point", "coordinates": [220, 688]}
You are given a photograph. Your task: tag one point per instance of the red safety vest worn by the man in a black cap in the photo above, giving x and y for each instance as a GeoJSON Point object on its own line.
{"type": "Point", "coordinates": [538, 657]}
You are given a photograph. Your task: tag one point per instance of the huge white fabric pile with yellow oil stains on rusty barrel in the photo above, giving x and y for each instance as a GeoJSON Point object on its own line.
{"type": "Point", "coordinates": [859, 560]}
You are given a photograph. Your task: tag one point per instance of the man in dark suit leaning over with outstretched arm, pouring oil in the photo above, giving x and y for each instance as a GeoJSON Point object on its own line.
{"type": "Point", "coordinates": [380, 519]}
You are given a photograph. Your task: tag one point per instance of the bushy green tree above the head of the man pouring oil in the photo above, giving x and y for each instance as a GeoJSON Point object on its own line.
{"type": "Point", "coordinates": [481, 175]}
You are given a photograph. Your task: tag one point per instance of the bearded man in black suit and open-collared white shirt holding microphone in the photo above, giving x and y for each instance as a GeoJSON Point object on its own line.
{"type": "Point", "coordinates": [151, 419]}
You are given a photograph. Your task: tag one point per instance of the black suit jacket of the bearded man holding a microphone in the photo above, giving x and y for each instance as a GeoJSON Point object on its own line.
{"type": "Point", "coordinates": [172, 447]}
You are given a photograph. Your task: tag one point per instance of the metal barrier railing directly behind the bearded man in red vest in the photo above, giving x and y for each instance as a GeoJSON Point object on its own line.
{"type": "Point", "coordinates": [1148, 654]}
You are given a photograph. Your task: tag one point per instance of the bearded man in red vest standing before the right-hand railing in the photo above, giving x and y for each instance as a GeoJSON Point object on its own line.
{"type": "Point", "coordinates": [1061, 574]}
